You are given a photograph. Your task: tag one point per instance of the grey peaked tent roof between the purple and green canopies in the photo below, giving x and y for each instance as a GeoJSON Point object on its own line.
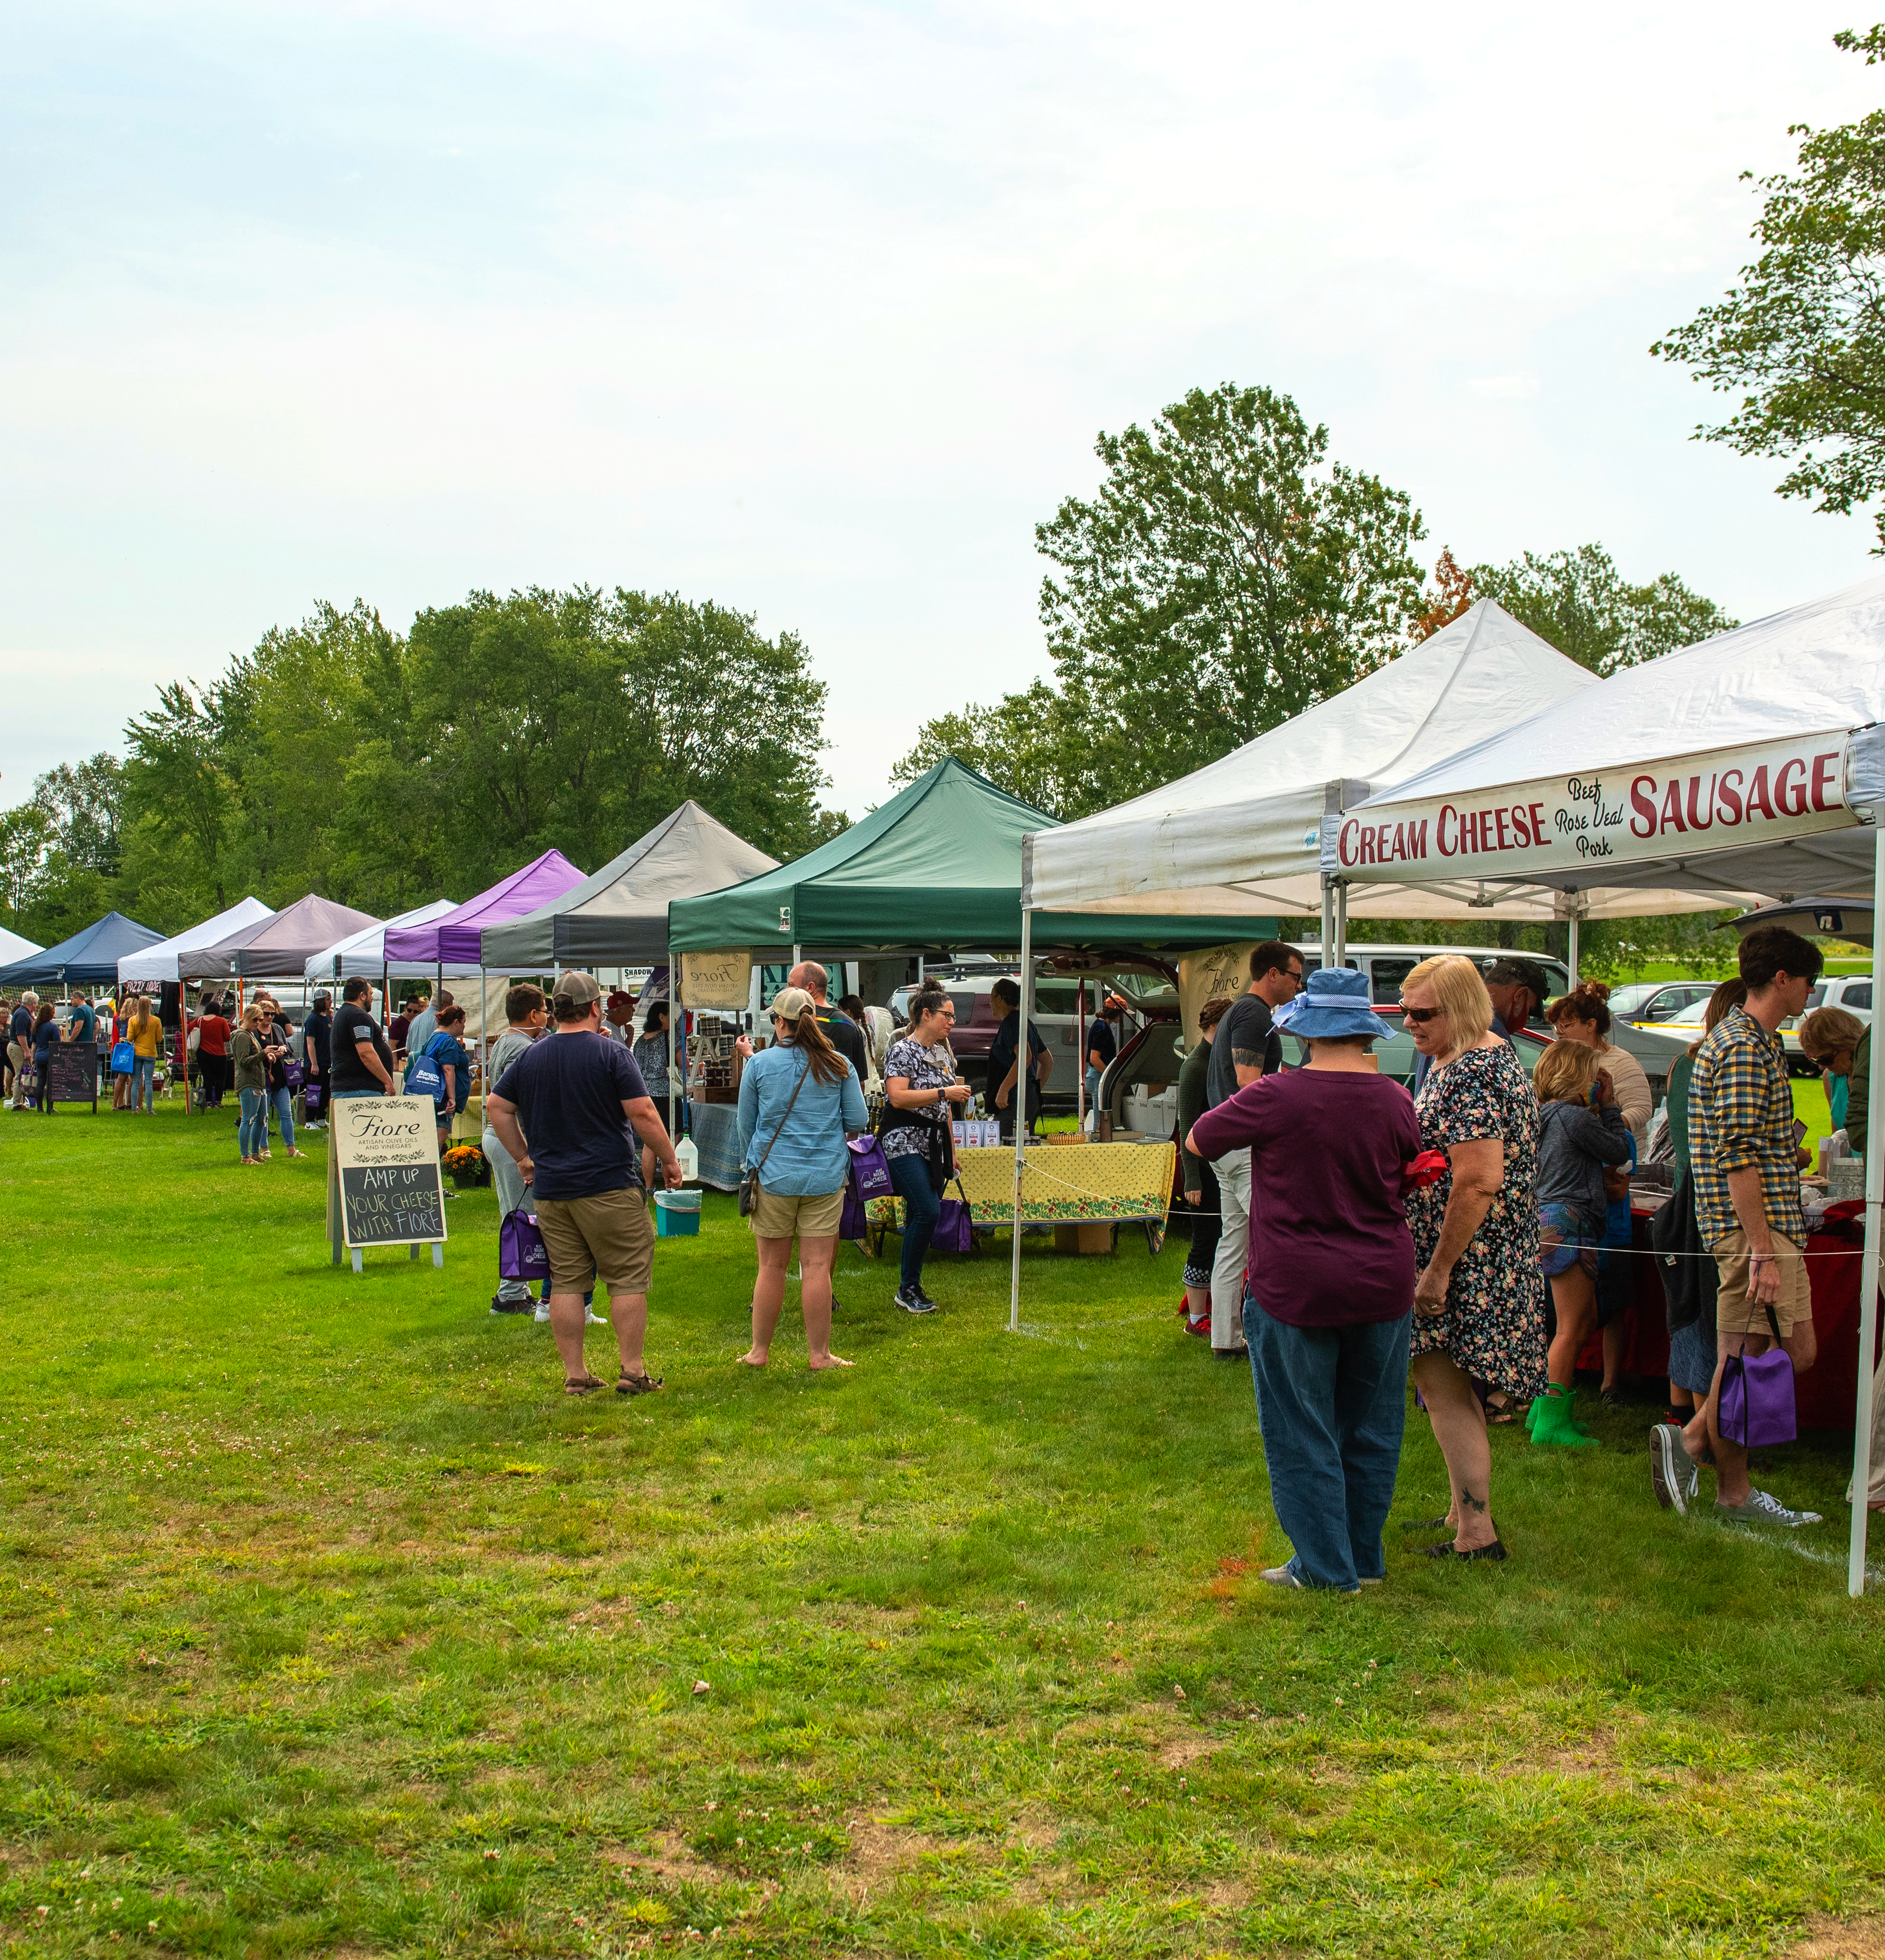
{"type": "Point", "coordinates": [620, 914]}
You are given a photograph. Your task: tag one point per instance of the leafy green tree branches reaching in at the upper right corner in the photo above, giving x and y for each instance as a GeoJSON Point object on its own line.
{"type": "Point", "coordinates": [1802, 338]}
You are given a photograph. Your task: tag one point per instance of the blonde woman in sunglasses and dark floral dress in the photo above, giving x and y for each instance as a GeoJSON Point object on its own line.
{"type": "Point", "coordinates": [1478, 1295]}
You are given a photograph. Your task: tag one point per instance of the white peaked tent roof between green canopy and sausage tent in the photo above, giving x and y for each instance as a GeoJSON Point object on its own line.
{"type": "Point", "coordinates": [1243, 832]}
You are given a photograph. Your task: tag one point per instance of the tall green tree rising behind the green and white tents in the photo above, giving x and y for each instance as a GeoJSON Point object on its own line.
{"type": "Point", "coordinates": [1224, 579]}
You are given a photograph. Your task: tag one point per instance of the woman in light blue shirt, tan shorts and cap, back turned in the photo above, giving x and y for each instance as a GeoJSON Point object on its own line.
{"type": "Point", "coordinates": [797, 1104]}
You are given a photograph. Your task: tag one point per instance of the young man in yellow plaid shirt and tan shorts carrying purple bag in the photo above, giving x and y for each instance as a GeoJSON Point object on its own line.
{"type": "Point", "coordinates": [1747, 1171]}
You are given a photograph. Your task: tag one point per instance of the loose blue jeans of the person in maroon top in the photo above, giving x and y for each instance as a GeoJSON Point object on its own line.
{"type": "Point", "coordinates": [1333, 1404]}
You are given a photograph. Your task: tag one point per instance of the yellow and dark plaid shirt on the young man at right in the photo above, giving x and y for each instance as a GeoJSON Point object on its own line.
{"type": "Point", "coordinates": [1741, 1112]}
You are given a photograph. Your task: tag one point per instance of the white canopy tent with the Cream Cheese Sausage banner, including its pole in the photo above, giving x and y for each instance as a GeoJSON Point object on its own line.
{"type": "Point", "coordinates": [1753, 761]}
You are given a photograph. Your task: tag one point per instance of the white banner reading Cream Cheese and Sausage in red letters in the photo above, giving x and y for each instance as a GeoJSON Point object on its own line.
{"type": "Point", "coordinates": [1649, 812]}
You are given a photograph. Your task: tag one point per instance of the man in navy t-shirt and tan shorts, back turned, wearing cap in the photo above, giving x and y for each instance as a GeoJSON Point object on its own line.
{"type": "Point", "coordinates": [569, 1110]}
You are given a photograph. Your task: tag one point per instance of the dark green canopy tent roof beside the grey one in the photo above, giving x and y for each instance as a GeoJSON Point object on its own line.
{"type": "Point", "coordinates": [936, 869]}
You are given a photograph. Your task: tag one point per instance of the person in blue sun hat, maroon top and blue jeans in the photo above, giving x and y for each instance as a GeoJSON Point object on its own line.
{"type": "Point", "coordinates": [1329, 1297]}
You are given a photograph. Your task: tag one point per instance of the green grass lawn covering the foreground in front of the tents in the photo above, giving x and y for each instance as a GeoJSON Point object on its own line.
{"type": "Point", "coordinates": [328, 1624]}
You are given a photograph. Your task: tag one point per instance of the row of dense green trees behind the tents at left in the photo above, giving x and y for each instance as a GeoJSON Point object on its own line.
{"type": "Point", "coordinates": [387, 769]}
